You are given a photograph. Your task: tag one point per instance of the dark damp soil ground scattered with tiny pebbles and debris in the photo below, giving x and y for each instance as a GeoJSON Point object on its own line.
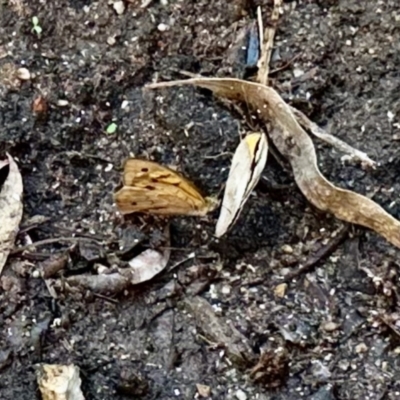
{"type": "Point", "coordinates": [216, 319]}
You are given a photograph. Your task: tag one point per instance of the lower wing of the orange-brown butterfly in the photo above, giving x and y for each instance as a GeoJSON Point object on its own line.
{"type": "Point", "coordinates": [160, 199]}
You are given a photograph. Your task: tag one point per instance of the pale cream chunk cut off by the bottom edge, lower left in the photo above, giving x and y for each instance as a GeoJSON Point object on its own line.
{"type": "Point", "coordinates": [59, 382]}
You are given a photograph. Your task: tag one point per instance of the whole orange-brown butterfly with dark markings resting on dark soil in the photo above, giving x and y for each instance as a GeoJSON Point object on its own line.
{"type": "Point", "coordinates": [151, 188]}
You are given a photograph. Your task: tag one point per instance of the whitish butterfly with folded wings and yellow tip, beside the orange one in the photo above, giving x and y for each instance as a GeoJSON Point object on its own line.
{"type": "Point", "coordinates": [247, 165]}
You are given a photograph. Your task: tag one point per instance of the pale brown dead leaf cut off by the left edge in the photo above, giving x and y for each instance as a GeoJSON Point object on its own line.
{"type": "Point", "coordinates": [10, 209]}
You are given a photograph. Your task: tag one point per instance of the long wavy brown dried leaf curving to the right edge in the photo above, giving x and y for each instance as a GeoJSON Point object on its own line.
{"type": "Point", "coordinates": [293, 142]}
